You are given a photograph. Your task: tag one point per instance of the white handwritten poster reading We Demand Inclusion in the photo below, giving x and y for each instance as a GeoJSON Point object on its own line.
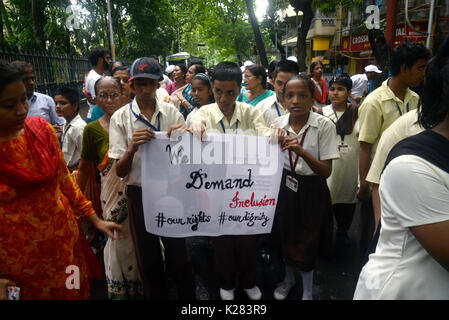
{"type": "Point", "coordinates": [228, 184]}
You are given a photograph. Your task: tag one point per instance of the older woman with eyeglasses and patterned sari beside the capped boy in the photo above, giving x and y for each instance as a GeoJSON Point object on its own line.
{"type": "Point", "coordinates": [100, 183]}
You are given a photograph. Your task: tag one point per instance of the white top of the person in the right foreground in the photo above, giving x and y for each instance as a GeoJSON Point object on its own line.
{"type": "Point", "coordinates": [413, 192]}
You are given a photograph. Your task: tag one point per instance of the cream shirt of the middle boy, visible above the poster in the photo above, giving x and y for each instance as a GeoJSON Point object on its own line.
{"type": "Point", "coordinates": [245, 120]}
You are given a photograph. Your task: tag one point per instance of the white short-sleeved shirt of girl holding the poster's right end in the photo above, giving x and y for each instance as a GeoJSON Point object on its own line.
{"type": "Point", "coordinates": [319, 141]}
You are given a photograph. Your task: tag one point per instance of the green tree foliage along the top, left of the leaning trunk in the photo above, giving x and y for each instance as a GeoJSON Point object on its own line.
{"type": "Point", "coordinates": [141, 27]}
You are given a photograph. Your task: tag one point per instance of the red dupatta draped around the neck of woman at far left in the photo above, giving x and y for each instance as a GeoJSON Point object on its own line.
{"type": "Point", "coordinates": [44, 150]}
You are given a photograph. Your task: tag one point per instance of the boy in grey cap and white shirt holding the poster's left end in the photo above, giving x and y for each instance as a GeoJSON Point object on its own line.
{"type": "Point", "coordinates": [132, 126]}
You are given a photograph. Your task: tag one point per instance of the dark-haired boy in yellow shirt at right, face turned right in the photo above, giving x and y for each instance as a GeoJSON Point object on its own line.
{"type": "Point", "coordinates": [378, 111]}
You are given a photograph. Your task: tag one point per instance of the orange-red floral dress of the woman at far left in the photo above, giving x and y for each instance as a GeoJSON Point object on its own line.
{"type": "Point", "coordinates": [41, 247]}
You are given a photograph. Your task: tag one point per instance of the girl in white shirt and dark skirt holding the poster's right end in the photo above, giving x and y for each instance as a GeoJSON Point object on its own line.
{"type": "Point", "coordinates": [303, 220]}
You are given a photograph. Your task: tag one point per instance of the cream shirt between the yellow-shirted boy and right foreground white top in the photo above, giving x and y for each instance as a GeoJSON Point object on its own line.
{"type": "Point", "coordinates": [402, 128]}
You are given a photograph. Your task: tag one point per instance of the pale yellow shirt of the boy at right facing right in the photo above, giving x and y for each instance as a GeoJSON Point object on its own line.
{"type": "Point", "coordinates": [379, 110]}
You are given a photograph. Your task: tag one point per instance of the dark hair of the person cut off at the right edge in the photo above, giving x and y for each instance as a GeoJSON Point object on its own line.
{"type": "Point", "coordinates": [435, 94]}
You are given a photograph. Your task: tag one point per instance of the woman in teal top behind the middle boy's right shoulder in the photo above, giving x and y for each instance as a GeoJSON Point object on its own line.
{"type": "Point", "coordinates": [255, 80]}
